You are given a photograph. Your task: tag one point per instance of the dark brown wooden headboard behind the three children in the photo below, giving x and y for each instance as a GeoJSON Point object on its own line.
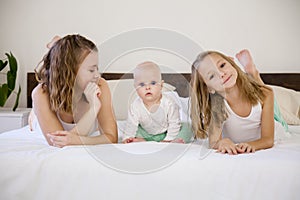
{"type": "Point", "coordinates": [180, 81]}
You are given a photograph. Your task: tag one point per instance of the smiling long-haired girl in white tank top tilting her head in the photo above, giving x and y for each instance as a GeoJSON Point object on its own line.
{"type": "Point", "coordinates": [229, 107]}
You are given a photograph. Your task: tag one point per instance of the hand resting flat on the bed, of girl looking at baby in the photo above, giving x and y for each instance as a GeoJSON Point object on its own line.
{"type": "Point", "coordinates": [64, 138]}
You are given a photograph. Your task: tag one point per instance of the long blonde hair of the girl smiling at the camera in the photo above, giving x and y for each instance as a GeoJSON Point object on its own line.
{"type": "Point", "coordinates": [207, 107]}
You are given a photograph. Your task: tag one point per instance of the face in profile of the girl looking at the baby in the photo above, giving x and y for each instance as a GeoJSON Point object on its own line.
{"type": "Point", "coordinates": [88, 71]}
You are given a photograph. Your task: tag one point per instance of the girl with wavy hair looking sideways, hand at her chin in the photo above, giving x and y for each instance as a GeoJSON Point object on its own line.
{"type": "Point", "coordinates": [72, 101]}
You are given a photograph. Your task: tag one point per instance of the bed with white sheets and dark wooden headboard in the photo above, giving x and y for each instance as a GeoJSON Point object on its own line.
{"type": "Point", "coordinates": [30, 169]}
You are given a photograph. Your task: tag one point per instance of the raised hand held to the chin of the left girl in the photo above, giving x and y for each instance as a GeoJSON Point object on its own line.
{"type": "Point", "coordinates": [92, 93]}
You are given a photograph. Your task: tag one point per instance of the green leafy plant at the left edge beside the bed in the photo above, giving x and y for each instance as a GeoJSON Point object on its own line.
{"type": "Point", "coordinates": [7, 87]}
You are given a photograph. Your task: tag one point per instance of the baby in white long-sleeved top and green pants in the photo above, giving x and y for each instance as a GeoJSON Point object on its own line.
{"type": "Point", "coordinates": [153, 116]}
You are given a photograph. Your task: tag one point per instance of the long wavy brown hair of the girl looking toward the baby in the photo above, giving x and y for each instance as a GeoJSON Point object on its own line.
{"type": "Point", "coordinates": [58, 69]}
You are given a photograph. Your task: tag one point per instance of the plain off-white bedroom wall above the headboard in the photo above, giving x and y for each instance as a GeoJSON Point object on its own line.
{"type": "Point", "coordinates": [269, 28]}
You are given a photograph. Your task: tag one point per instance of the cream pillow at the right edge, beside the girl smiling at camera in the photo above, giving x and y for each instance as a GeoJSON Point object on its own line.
{"type": "Point", "coordinates": [289, 104]}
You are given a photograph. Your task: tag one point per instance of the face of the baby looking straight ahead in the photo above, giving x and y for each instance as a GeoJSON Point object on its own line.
{"type": "Point", "coordinates": [148, 86]}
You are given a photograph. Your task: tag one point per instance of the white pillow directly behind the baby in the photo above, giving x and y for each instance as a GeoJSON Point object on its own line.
{"type": "Point", "coordinates": [123, 93]}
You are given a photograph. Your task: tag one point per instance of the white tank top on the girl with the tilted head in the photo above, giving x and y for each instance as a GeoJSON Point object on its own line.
{"type": "Point", "coordinates": [243, 129]}
